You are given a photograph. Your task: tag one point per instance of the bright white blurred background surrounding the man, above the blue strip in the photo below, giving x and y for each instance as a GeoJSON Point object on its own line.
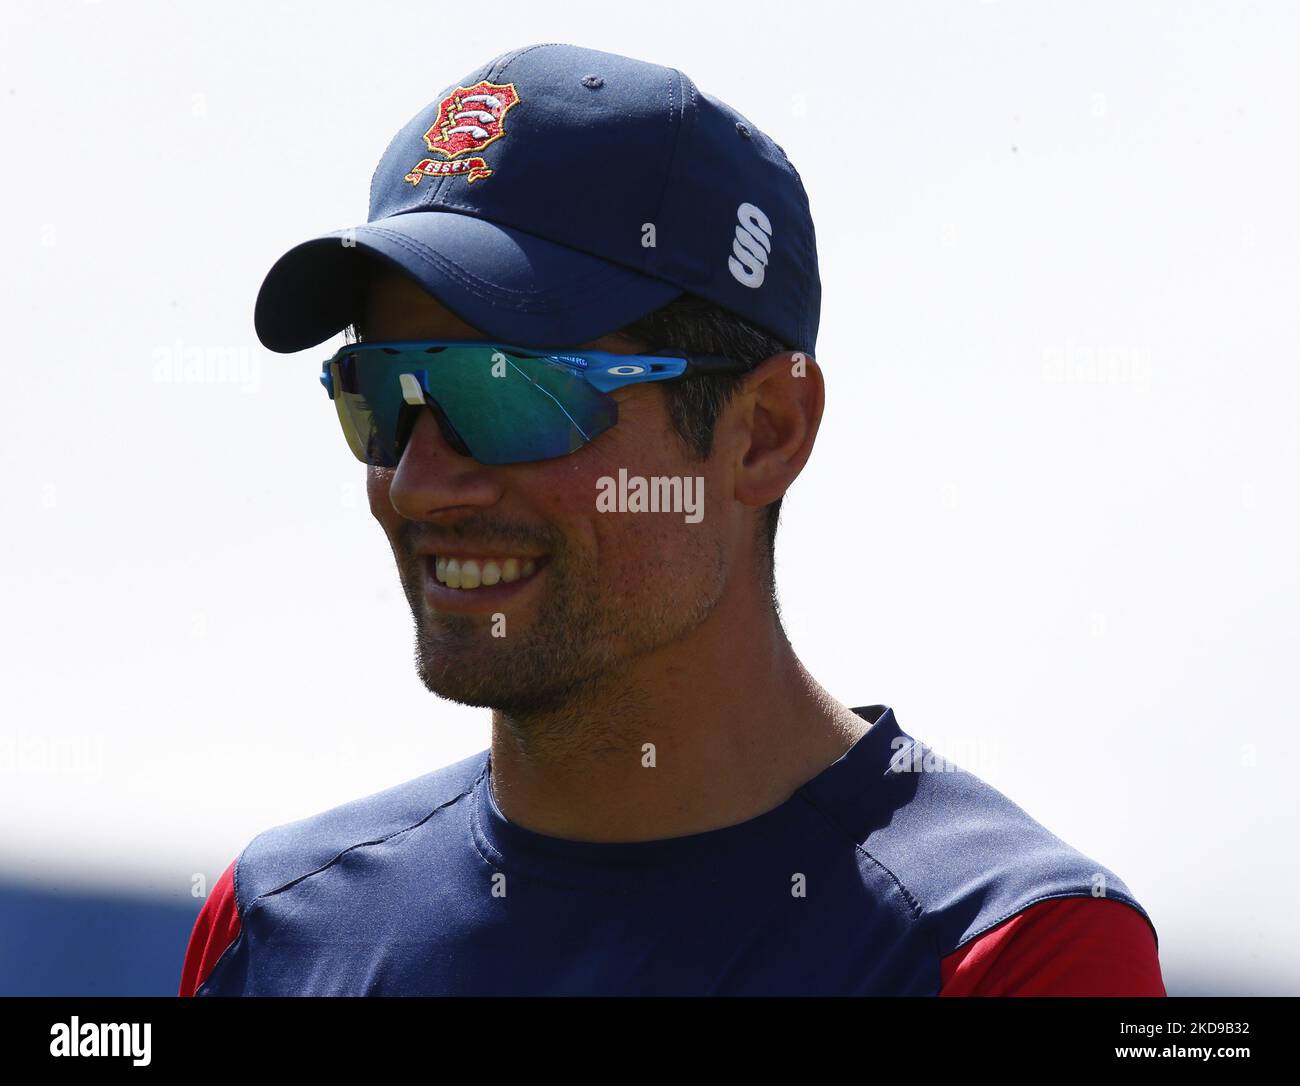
{"type": "Point", "coordinates": [1051, 520]}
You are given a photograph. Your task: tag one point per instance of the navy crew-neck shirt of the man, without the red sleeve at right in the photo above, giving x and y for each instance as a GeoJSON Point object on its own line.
{"type": "Point", "coordinates": [866, 881]}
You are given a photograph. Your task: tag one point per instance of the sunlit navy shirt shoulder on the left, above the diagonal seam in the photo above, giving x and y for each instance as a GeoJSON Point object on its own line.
{"type": "Point", "coordinates": [283, 855]}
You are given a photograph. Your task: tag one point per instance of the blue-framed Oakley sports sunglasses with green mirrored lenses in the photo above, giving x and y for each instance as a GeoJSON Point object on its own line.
{"type": "Point", "coordinates": [497, 404]}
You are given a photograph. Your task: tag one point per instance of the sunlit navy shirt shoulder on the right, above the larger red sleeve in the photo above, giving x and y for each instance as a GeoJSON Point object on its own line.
{"type": "Point", "coordinates": [963, 854]}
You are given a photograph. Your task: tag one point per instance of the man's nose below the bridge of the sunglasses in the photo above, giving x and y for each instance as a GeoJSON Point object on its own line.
{"type": "Point", "coordinates": [432, 477]}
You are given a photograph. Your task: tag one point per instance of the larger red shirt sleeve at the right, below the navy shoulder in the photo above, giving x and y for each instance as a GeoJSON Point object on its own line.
{"type": "Point", "coordinates": [1065, 946]}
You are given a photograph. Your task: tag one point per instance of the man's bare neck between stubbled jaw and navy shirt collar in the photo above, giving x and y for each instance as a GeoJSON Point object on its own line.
{"type": "Point", "coordinates": [707, 733]}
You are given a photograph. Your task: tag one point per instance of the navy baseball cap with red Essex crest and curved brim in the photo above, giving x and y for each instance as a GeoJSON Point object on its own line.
{"type": "Point", "coordinates": [557, 194]}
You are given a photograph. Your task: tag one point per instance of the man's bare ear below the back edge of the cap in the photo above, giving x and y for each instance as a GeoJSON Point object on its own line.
{"type": "Point", "coordinates": [774, 431]}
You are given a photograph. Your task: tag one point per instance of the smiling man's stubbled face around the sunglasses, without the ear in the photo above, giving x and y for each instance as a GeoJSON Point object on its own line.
{"type": "Point", "coordinates": [606, 587]}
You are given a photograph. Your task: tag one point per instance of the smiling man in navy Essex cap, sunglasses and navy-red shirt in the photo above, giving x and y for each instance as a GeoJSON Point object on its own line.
{"type": "Point", "coordinates": [580, 371]}
